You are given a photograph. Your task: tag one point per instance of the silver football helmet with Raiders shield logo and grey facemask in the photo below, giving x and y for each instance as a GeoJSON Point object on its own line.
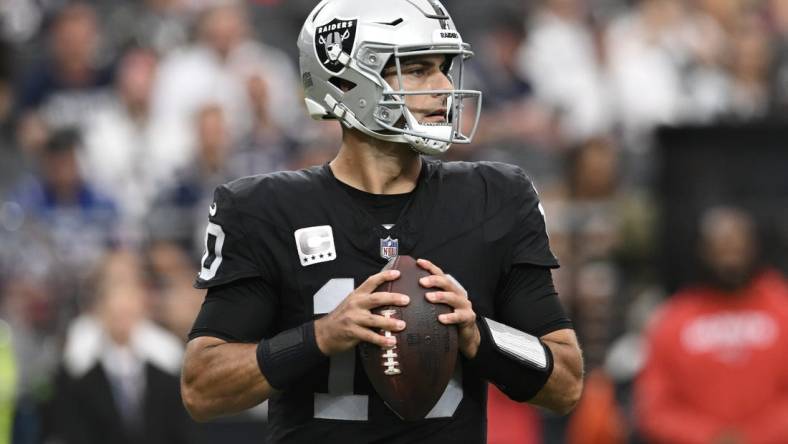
{"type": "Point", "coordinates": [344, 47]}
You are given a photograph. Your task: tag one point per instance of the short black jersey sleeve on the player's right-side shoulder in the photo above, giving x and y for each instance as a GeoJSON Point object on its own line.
{"type": "Point", "coordinates": [530, 242]}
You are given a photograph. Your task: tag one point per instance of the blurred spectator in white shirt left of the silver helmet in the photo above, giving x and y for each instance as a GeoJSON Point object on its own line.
{"type": "Point", "coordinates": [215, 70]}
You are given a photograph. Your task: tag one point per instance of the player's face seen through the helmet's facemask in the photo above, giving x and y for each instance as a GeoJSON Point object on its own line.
{"type": "Point", "coordinates": [423, 73]}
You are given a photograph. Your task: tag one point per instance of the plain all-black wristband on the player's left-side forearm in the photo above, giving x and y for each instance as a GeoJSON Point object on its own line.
{"type": "Point", "coordinates": [285, 358]}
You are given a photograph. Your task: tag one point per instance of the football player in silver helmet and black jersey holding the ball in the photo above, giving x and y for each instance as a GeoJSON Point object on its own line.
{"type": "Point", "coordinates": [293, 259]}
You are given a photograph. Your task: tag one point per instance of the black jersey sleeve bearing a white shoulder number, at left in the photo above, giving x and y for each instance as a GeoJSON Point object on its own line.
{"type": "Point", "coordinates": [233, 250]}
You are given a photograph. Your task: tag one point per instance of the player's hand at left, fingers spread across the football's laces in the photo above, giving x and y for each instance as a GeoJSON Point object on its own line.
{"type": "Point", "coordinates": [353, 321]}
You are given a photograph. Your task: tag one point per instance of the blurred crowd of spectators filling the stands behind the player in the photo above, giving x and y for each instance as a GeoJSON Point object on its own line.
{"type": "Point", "coordinates": [119, 117]}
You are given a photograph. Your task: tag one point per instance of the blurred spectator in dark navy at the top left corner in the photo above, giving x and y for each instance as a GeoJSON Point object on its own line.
{"type": "Point", "coordinates": [69, 83]}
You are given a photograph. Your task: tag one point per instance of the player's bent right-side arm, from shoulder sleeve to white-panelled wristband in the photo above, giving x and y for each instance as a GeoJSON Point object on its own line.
{"type": "Point", "coordinates": [529, 304]}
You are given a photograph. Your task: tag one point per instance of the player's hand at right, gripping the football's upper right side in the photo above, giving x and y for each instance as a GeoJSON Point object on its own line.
{"type": "Point", "coordinates": [450, 292]}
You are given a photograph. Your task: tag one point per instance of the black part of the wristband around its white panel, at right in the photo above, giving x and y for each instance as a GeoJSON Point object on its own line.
{"type": "Point", "coordinates": [516, 377]}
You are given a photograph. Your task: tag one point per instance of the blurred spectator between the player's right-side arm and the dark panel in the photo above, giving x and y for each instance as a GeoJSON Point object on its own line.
{"type": "Point", "coordinates": [585, 222]}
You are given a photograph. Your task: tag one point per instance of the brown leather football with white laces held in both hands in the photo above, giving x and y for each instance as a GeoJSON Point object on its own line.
{"type": "Point", "coordinates": [411, 376]}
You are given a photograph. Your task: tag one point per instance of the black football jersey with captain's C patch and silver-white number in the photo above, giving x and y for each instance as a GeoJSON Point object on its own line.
{"type": "Point", "coordinates": [305, 236]}
